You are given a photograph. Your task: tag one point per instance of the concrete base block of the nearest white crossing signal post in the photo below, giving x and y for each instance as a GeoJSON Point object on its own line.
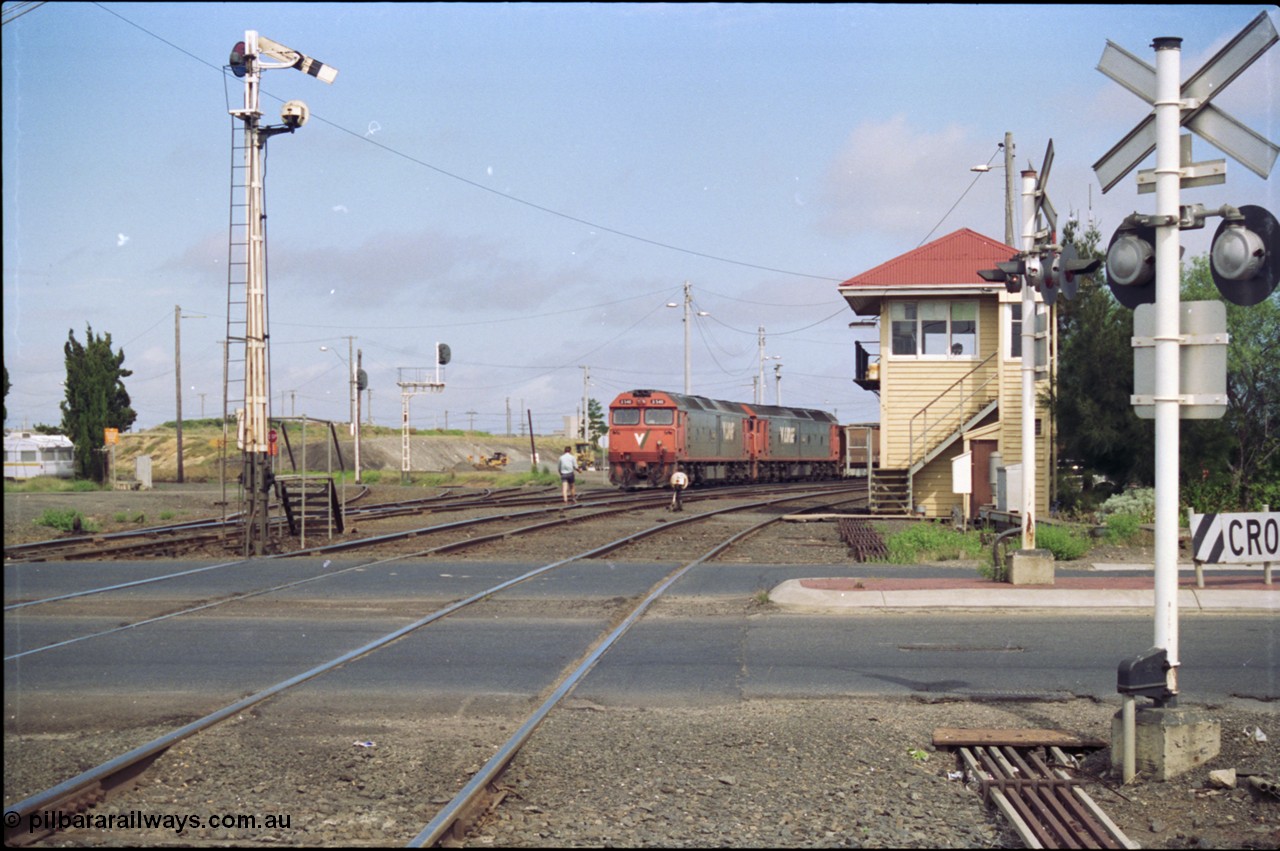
{"type": "Point", "coordinates": [1169, 742]}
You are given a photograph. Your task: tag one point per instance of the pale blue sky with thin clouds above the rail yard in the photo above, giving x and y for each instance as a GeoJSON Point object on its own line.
{"type": "Point", "coordinates": [533, 184]}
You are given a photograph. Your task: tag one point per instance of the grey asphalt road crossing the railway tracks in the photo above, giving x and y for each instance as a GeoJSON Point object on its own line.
{"type": "Point", "coordinates": [682, 652]}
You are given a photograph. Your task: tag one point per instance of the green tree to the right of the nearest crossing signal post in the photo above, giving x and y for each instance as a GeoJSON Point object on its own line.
{"type": "Point", "coordinates": [1235, 464]}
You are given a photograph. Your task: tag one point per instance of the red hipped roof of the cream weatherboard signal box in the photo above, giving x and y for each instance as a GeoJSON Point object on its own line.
{"type": "Point", "coordinates": [948, 262]}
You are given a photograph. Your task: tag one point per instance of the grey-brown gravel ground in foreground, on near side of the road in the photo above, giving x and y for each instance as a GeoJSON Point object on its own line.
{"type": "Point", "coordinates": [769, 774]}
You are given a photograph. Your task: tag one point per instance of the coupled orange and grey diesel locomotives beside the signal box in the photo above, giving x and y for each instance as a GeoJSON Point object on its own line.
{"type": "Point", "coordinates": [656, 433]}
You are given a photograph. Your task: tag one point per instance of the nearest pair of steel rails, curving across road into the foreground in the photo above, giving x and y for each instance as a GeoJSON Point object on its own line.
{"type": "Point", "coordinates": [92, 788]}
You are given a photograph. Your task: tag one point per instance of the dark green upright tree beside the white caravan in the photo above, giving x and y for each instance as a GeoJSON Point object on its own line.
{"type": "Point", "coordinates": [97, 399]}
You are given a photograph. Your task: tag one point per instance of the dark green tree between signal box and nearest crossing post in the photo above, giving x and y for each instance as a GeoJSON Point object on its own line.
{"type": "Point", "coordinates": [1096, 424]}
